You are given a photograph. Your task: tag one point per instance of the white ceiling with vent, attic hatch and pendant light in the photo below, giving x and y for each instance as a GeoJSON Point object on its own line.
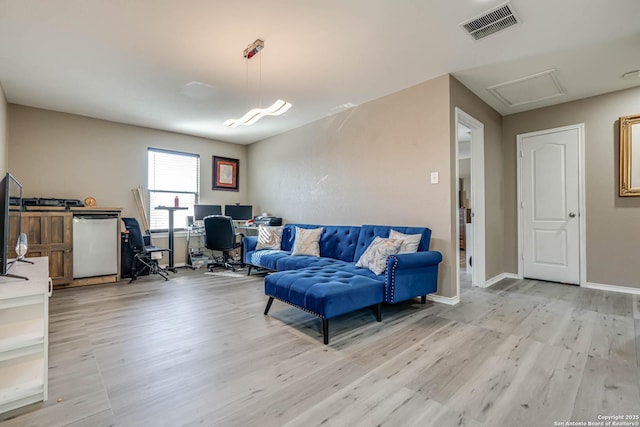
{"type": "Point", "coordinates": [129, 60]}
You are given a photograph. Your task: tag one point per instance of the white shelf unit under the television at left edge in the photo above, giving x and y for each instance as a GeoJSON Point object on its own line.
{"type": "Point", "coordinates": [24, 331]}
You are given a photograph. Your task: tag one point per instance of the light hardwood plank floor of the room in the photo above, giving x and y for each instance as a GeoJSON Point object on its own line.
{"type": "Point", "coordinates": [197, 350]}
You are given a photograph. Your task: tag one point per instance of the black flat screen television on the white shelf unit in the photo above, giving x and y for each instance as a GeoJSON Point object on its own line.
{"type": "Point", "coordinates": [10, 220]}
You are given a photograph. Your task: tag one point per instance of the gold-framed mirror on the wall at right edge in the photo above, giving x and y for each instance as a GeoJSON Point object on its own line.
{"type": "Point", "coordinates": [630, 155]}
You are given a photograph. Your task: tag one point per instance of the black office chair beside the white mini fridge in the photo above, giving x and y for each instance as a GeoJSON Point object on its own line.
{"type": "Point", "coordinates": [143, 252]}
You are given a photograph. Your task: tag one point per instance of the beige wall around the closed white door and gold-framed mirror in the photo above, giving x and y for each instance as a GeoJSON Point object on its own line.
{"type": "Point", "coordinates": [612, 222]}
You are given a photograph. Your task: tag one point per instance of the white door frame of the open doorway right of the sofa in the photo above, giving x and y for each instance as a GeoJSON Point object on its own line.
{"type": "Point", "coordinates": [478, 275]}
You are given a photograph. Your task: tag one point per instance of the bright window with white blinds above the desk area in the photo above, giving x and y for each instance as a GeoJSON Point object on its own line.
{"type": "Point", "coordinates": [172, 174]}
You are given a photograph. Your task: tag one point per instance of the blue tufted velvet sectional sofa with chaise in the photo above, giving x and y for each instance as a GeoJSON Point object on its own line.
{"type": "Point", "coordinates": [331, 285]}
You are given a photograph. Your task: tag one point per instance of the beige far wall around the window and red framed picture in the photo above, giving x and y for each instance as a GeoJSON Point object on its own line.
{"type": "Point", "coordinates": [67, 156]}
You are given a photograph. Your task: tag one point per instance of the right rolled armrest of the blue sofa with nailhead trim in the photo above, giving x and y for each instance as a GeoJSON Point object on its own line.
{"type": "Point", "coordinates": [411, 275]}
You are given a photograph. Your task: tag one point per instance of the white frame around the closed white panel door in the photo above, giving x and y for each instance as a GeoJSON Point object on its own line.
{"type": "Point", "coordinates": [581, 195]}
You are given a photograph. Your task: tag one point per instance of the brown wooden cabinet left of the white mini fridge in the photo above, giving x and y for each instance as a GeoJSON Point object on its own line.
{"type": "Point", "coordinates": [50, 234]}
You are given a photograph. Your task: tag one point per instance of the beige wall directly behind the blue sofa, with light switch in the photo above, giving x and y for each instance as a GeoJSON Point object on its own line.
{"type": "Point", "coordinates": [367, 165]}
